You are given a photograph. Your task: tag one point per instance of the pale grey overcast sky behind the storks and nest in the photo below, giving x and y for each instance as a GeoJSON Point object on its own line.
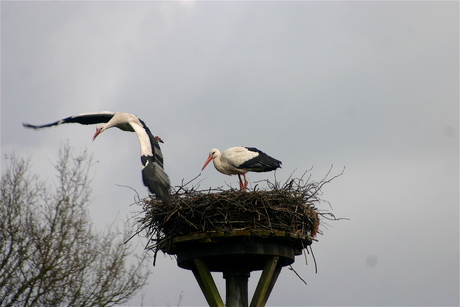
{"type": "Point", "coordinates": [370, 86]}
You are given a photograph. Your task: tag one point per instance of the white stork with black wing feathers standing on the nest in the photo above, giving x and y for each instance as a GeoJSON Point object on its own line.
{"type": "Point", "coordinates": [240, 160]}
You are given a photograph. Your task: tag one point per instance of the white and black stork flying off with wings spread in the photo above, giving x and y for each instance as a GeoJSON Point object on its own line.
{"type": "Point", "coordinates": [153, 174]}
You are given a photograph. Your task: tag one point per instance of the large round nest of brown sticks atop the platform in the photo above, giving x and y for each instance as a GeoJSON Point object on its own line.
{"type": "Point", "coordinates": [287, 214]}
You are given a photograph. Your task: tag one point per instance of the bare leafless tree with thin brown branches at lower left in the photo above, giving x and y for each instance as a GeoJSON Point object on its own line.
{"type": "Point", "coordinates": [50, 255]}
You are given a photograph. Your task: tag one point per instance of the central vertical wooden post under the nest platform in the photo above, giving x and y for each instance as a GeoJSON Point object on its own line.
{"type": "Point", "coordinates": [236, 289]}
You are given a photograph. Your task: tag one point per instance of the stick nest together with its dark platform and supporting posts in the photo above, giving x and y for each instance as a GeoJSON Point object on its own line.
{"type": "Point", "coordinates": [235, 232]}
